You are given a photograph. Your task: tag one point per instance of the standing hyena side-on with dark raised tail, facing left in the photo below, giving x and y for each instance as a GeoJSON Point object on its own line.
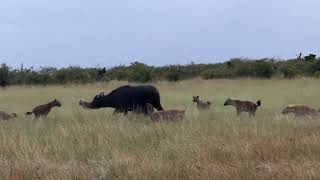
{"type": "Point", "coordinates": [243, 106]}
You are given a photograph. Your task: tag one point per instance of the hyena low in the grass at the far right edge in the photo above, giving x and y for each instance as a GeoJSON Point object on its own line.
{"type": "Point", "coordinates": [300, 110]}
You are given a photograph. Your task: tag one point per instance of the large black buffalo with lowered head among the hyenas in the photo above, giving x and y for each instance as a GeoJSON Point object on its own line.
{"type": "Point", "coordinates": [126, 98]}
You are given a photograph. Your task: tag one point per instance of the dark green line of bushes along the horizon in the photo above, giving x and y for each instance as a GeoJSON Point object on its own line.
{"type": "Point", "coordinates": [143, 73]}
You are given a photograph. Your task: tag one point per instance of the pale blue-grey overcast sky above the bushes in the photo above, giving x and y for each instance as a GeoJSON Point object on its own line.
{"type": "Point", "coordinates": [105, 33]}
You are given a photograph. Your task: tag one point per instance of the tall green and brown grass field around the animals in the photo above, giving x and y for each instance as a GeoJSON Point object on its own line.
{"type": "Point", "coordinates": [74, 143]}
